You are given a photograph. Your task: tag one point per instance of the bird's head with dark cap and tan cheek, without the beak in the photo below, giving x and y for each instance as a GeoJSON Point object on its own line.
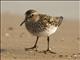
{"type": "Point", "coordinates": [32, 15]}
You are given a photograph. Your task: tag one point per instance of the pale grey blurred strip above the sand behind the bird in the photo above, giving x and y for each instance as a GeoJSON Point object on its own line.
{"type": "Point", "coordinates": [67, 9]}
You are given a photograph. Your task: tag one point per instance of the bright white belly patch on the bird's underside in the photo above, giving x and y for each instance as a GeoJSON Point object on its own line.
{"type": "Point", "coordinates": [49, 31]}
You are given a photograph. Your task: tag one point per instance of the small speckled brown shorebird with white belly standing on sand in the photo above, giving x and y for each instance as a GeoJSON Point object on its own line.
{"type": "Point", "coordinates": [41, 25]}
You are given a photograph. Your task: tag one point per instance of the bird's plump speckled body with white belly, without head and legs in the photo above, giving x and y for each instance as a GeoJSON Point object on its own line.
{"type": "Point", "coordinates": [46, 25]}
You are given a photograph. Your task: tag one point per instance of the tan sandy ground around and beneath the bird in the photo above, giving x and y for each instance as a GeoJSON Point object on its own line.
{"type": "Point", "coordinates": [65, 42]}
